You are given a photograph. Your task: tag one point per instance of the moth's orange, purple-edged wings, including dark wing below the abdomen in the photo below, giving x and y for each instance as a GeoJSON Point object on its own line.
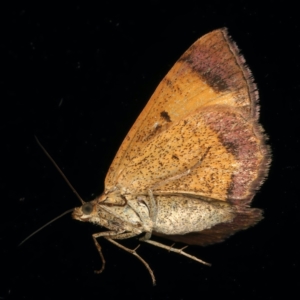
{"type": "Point", "coordinates": [199, 136]}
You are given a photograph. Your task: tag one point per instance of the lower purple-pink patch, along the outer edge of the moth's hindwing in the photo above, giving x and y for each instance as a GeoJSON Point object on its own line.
{"type": "Point", "coordinates": [237, 136]}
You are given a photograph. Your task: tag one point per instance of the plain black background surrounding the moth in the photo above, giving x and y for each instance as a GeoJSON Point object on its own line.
{"type": "Point", "coordinates": [77, 77]}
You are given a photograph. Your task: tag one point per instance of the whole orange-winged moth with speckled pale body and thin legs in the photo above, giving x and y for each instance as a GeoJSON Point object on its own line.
{"type": "Point", "coordinates": [194, 158]}
